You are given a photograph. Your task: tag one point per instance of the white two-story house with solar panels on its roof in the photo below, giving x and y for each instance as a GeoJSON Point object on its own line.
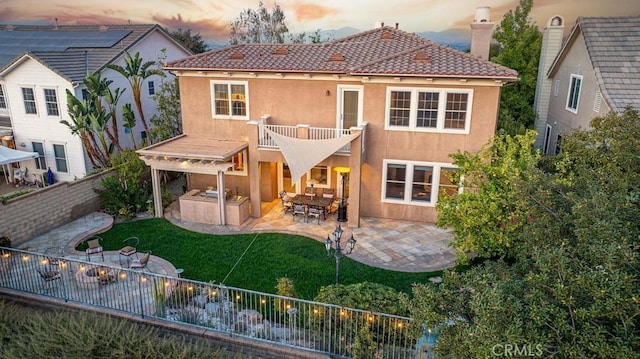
{"type": "Point", "coordinates": [39, 63]}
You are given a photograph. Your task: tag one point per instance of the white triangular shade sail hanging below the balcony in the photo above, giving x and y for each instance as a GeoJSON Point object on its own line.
{"type": "Point", "coordinates": [303, 154]}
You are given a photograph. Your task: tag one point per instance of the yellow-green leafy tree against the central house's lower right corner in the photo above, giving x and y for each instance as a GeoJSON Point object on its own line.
{"type": "Point", "coordinates": [486, 217]}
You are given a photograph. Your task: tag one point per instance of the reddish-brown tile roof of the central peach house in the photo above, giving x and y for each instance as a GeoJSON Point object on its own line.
{"type": "Point", "coordinates": [383, 51]}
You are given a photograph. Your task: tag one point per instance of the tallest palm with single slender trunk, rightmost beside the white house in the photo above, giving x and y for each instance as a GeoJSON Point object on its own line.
{"type": "Point", "coordinates": [135, 71]}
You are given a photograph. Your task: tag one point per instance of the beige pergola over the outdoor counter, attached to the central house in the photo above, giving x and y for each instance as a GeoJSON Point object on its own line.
{"type": "Point", "coordinates": [190, 155]}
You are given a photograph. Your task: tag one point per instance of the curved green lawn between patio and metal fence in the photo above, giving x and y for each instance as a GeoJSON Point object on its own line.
{"type": "Point", "coordinates": [207, 257]}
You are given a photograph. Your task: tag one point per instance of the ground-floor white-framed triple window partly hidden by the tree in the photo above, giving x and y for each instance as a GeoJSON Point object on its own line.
{"type": "Point", "coordinates": [417, 183]}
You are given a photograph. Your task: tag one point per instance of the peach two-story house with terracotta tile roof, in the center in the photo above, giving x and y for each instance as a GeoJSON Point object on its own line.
{"type": "Point", "coordinates": [385, 105]}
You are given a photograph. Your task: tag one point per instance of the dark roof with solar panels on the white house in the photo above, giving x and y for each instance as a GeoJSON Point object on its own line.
{"type": "Point", "coordinates": [63, 49]}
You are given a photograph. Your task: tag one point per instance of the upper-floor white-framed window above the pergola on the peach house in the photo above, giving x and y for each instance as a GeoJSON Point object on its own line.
{"type": "Point", "coordinates": [229, 100]}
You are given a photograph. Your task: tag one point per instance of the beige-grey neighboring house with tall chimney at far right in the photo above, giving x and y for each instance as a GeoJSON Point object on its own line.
{"type": "Point", "coordinates": [593, 73]}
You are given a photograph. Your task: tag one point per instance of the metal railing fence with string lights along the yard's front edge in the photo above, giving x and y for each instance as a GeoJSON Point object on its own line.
{"type": "Point", "coordinates": [318, 327]}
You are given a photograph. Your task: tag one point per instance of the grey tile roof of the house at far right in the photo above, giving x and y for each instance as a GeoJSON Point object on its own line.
{"type": "Point", "coordinates": [613, 44]}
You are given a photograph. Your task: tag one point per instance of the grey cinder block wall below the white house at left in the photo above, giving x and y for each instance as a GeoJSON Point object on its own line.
{"type": "Point", "coordinates": [33, 214]}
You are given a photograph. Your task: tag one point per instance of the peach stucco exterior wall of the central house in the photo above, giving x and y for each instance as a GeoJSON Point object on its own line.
{"type": "Point", "coordinates": [295, 100]}
